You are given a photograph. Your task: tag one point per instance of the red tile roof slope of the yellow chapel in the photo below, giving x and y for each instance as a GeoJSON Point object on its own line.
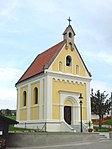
{"type": "Point", "coordinates": [42, 60]}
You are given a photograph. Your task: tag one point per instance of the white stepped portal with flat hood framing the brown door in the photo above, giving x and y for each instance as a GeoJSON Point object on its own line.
{"type": "Point", "coordinates": [71, 100]}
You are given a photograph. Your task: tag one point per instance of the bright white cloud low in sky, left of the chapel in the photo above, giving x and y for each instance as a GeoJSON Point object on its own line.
{"type": "Point", "coordinates": [8, 78]}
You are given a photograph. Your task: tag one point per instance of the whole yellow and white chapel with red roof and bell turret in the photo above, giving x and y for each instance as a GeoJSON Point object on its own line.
{"type": "Point", "coordinates": [48, 92]}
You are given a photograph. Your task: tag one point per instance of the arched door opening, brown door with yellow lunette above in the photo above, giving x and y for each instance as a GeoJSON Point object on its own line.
{"type": "Point", "coordinates": [68, 111]}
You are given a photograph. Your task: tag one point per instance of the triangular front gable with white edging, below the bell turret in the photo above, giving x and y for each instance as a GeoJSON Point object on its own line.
{"type": "Point", "coordinates": [77, 67]}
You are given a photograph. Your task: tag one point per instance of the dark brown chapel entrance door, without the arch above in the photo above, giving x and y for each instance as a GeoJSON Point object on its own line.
{"type": "Point", "coordinates": [67, 114]}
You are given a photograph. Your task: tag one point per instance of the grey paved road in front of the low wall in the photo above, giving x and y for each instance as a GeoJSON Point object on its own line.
{"type": "Point", "coordinates": [103, 144]}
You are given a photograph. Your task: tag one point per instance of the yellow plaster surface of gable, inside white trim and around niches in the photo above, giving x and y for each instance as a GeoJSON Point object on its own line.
{"type": "Point", "coordinates": [75, 61]}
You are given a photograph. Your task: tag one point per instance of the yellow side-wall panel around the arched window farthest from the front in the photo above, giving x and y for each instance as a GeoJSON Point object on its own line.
{"type": "Point", "coordinates": [23, 109]}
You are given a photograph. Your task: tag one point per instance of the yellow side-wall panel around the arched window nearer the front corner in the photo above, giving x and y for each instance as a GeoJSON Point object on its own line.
{"type": "Point", "coordinates": [34, 109]}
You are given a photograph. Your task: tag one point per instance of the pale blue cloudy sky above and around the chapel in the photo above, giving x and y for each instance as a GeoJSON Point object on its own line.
{"type": "Point", "coordinates": [29, 27]}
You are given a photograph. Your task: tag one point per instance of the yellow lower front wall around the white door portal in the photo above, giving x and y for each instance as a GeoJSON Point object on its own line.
{"type": "Point", "coordinates": [68, 87]}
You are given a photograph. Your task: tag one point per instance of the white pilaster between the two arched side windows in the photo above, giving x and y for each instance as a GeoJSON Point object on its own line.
{"type": "Point", "coordinates": [28, 102]}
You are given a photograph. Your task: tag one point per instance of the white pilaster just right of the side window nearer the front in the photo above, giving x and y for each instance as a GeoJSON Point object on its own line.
{"type": "Point", "coordinates": [41, 100]}
